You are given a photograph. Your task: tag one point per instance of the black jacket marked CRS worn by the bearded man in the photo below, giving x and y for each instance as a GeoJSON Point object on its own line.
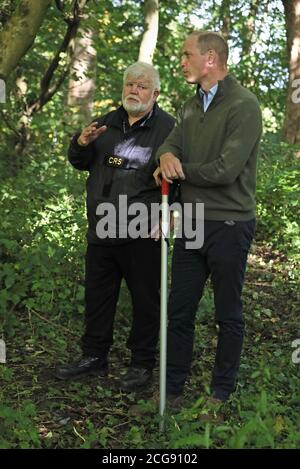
{"type": "Point", "coordinates": [134, 148]}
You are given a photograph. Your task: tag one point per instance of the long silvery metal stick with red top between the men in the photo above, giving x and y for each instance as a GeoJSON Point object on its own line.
{"type": "Point", "coordinates": [163, 301]}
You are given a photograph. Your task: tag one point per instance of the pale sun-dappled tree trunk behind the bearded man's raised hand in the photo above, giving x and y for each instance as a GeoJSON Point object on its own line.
{"type": "Point", "coordinates": [82, 87]}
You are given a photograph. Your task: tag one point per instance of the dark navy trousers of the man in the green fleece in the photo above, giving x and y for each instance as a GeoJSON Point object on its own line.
{"type": "Point", "coordinates": [223, 256]}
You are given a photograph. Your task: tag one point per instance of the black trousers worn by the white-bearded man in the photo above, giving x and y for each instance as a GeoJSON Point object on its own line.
{"type": "Point", "coordinates": [138, 262]}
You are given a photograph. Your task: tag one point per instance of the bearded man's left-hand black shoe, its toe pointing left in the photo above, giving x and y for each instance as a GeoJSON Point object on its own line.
{"type": "Point", "coordinates": [85, 366]}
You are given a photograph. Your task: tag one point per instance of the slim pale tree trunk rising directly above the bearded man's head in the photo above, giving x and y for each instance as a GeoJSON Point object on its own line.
{"type": "Point", "coordinates": [149, 39]}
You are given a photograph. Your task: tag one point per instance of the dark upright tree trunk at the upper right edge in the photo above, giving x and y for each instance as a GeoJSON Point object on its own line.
{"type": "Point", "coordinates": [291, 129]}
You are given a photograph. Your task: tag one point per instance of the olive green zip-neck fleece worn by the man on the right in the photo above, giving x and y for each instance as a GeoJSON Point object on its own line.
{"type": "Point", "coordinates": [218, 151]}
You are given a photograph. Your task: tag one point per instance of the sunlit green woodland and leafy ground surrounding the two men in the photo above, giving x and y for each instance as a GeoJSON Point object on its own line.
{"type": "Point", "coordinates": [62, 63]}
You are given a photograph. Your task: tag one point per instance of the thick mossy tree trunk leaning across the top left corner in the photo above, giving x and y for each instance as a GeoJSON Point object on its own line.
{"type": "Point", "coordinates": [19, 33]}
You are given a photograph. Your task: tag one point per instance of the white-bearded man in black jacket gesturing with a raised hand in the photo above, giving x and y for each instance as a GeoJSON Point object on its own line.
{"type": "Point", "coordinates": [117, 149]}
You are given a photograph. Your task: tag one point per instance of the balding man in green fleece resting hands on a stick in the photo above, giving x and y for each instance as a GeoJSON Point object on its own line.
{"type": "Point", "coordinates": [212, 151]}
